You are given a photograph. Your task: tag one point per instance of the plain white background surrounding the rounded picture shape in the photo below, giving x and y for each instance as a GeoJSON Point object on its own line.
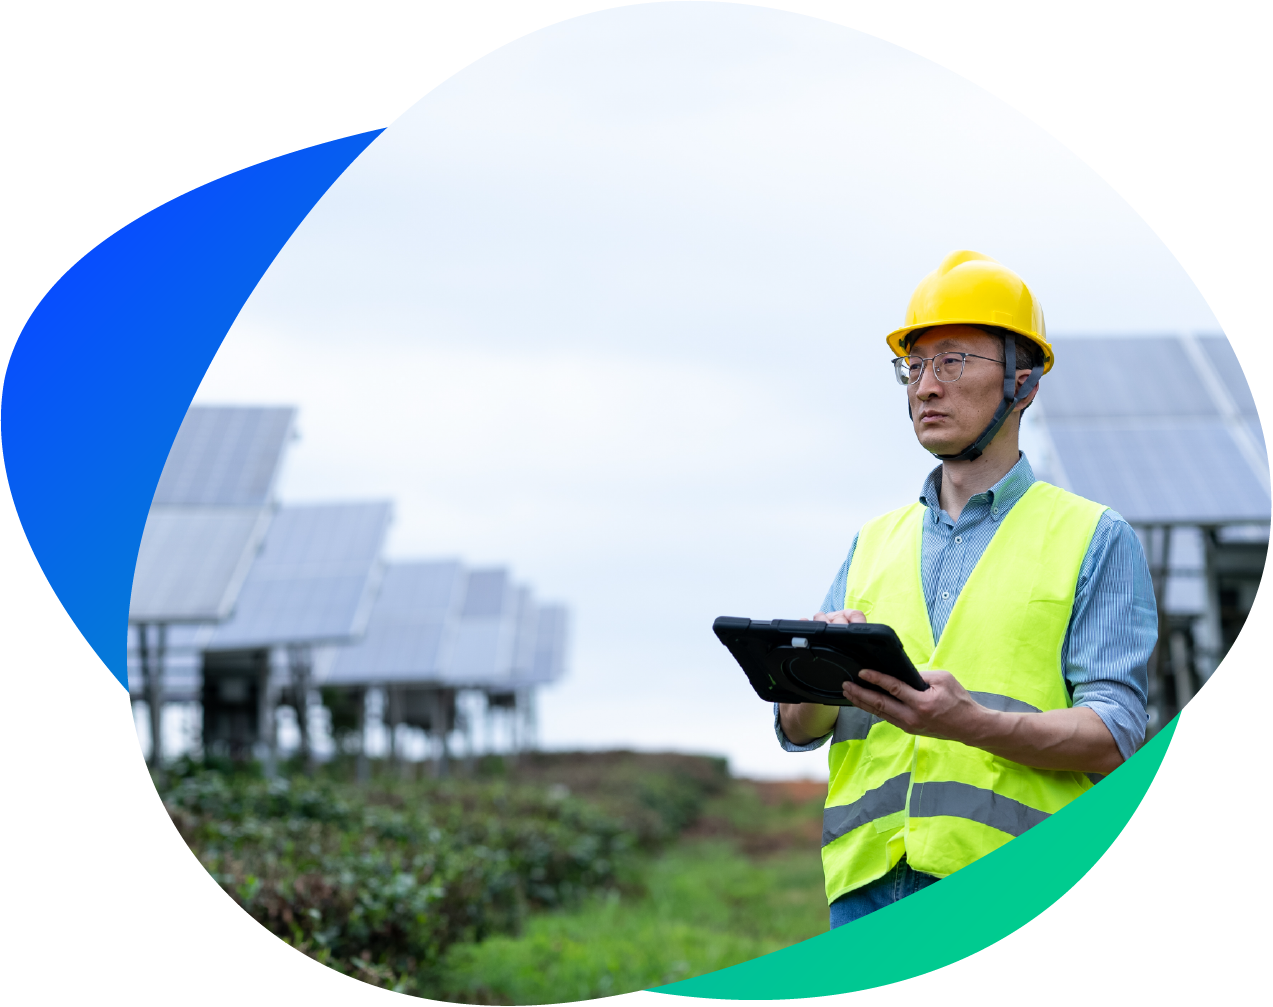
{"type": "Point", "coordinates": [111, 110]}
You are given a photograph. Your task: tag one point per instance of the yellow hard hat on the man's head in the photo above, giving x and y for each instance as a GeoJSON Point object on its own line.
{"type": "Point", "coordinates": [969, 288]}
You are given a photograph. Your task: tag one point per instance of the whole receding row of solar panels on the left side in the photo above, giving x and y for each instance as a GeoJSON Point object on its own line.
{"type": "Point", "coordinates": [226, 570]}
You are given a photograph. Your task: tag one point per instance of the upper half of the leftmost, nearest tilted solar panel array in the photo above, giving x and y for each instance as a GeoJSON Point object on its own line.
{"type": "Point", "coordinates": [226, 456]}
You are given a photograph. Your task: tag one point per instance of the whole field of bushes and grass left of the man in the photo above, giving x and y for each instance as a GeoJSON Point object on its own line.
{"type": "Point", "coordinates": [565, 878]}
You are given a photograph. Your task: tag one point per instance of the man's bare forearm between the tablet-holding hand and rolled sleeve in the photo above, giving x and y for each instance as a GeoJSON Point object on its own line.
{"type": "Point", "coordinates": [1074, 739]}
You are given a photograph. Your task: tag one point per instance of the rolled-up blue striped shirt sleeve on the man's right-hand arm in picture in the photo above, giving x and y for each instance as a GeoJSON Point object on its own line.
{"type": "Point", "coordinates": [1113, 632]}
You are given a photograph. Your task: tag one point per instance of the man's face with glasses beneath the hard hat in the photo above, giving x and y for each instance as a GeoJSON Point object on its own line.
{"type": "Point", "coordinates": [949, 417]}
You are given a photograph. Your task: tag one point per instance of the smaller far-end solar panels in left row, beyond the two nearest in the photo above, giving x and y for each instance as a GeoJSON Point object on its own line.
{"type": "Point", "coordinates": [440, 623]}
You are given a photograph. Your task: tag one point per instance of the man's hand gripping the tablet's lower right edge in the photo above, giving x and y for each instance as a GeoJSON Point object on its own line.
{"type": "Point", "coordinates": [944, 711]}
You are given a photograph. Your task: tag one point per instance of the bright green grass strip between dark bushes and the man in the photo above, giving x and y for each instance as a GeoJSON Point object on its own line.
{"type": "Point", "coordinates": [705, 905]}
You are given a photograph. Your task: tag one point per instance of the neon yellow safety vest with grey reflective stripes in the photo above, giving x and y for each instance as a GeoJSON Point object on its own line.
{"type": "Point", "coordinates": [943, 804]}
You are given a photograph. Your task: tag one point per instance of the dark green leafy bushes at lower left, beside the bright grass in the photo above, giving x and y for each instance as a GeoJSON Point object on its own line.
{"type": "Point", "coordinates": [380, 883]}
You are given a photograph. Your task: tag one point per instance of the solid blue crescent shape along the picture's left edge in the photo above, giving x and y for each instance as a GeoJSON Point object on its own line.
{"type": "Point", "coordinates": [108, 365]}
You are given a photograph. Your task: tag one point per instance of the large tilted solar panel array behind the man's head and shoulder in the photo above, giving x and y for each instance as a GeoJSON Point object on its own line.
{"type": "Point", "coordinates": [1163, 430]}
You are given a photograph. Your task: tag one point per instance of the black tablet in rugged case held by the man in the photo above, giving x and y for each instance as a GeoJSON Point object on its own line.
{"type": "Point", "coordinates": [794, 661]}
